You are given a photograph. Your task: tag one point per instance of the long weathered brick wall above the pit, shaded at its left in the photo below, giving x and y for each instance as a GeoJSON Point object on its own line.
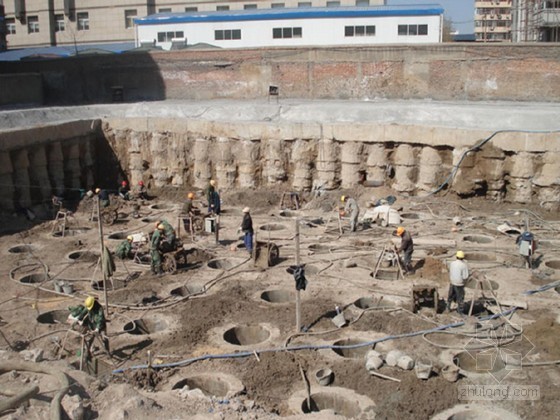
{"type": "Point", "coordinates": [444, 72]}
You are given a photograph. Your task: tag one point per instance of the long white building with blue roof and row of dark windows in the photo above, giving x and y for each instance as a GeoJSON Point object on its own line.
{"type": "Point", "coordinates": [280, 27]}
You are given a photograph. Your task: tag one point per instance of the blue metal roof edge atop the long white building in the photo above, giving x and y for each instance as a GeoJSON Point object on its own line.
{"type": "Point", "coordinates": [297, 13]}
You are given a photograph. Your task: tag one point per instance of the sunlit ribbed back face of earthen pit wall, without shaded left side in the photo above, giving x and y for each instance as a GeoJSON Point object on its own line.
{"type": "Point", "coordinates": [513, 166]}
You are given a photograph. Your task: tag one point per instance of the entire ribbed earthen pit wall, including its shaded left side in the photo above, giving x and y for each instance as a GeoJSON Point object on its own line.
{"type": "Point", "coordinates": [35, 163]}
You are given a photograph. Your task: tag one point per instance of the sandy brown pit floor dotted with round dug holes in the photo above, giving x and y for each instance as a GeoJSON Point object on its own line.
{"type": "Point", "coordinates": [210, 329]}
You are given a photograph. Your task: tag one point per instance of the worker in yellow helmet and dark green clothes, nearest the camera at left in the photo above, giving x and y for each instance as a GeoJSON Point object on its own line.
{"type": "Point", "coordinates": [91, 317]}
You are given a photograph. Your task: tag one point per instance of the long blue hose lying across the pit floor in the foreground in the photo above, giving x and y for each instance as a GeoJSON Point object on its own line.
{"type": "Point", "coordinates": [309, 347]}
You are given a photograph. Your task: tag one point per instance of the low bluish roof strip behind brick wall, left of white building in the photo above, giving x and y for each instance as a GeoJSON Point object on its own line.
{"type": "Point", "coordinates": [65, 51]}
